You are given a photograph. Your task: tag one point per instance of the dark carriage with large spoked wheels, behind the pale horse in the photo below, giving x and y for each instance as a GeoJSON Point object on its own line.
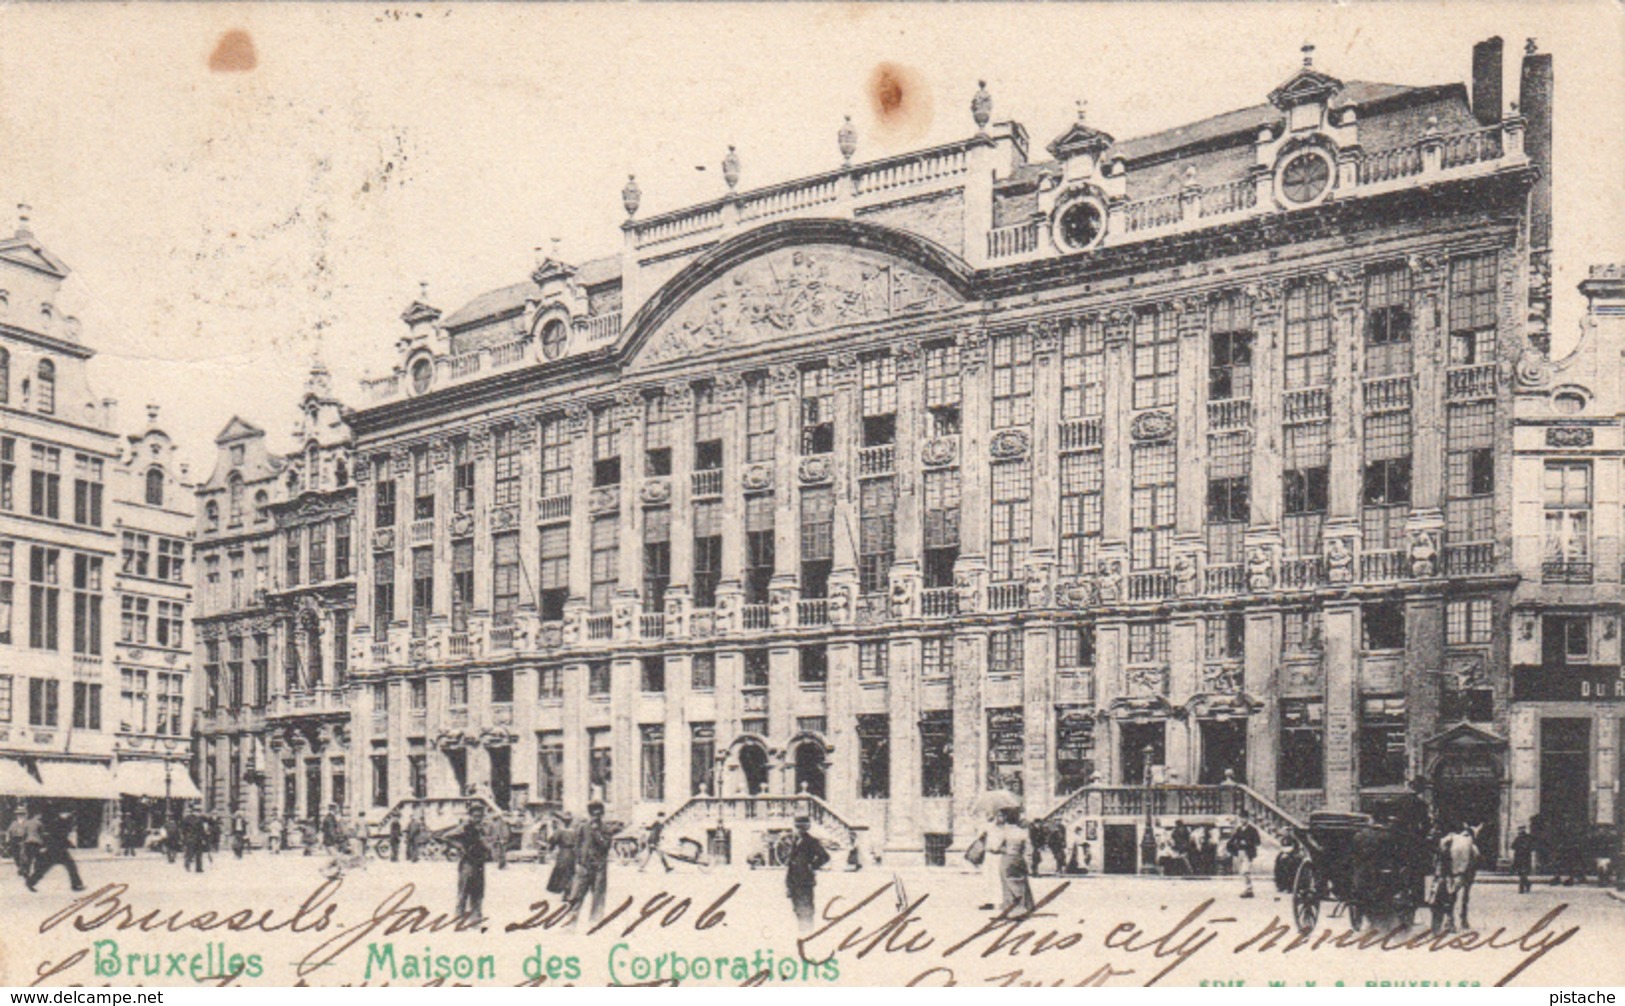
{"type": "Point", "coordinates": [1367, 869]}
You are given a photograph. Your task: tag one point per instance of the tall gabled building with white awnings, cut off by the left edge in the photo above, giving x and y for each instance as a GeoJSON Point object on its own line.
{"type": "Point", "coordinates": [58, 549]}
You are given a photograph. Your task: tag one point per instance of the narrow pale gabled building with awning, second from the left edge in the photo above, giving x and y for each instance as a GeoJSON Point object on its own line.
{"type": "Point", "coordinates": [154, 601]}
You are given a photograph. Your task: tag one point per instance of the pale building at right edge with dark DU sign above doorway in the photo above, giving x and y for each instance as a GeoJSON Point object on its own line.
{"type": "Point", "coordinates": [1567, 731]}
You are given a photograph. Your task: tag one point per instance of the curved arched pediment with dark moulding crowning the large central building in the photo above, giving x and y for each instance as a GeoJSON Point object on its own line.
{"type": "Point", "coordinates": [794, 280]}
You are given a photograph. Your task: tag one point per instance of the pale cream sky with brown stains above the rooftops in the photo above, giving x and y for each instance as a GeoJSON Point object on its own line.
{"type": "Point", "coordinates": [227, 225]}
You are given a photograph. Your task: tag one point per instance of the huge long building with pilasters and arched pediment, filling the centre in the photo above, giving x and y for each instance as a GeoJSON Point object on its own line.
{"type": "Point", "coordinates": [977, 469]}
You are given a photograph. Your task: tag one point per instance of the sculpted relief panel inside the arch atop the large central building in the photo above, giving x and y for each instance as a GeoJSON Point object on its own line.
{"type": "Point", "coordinates": [795, 292]}
